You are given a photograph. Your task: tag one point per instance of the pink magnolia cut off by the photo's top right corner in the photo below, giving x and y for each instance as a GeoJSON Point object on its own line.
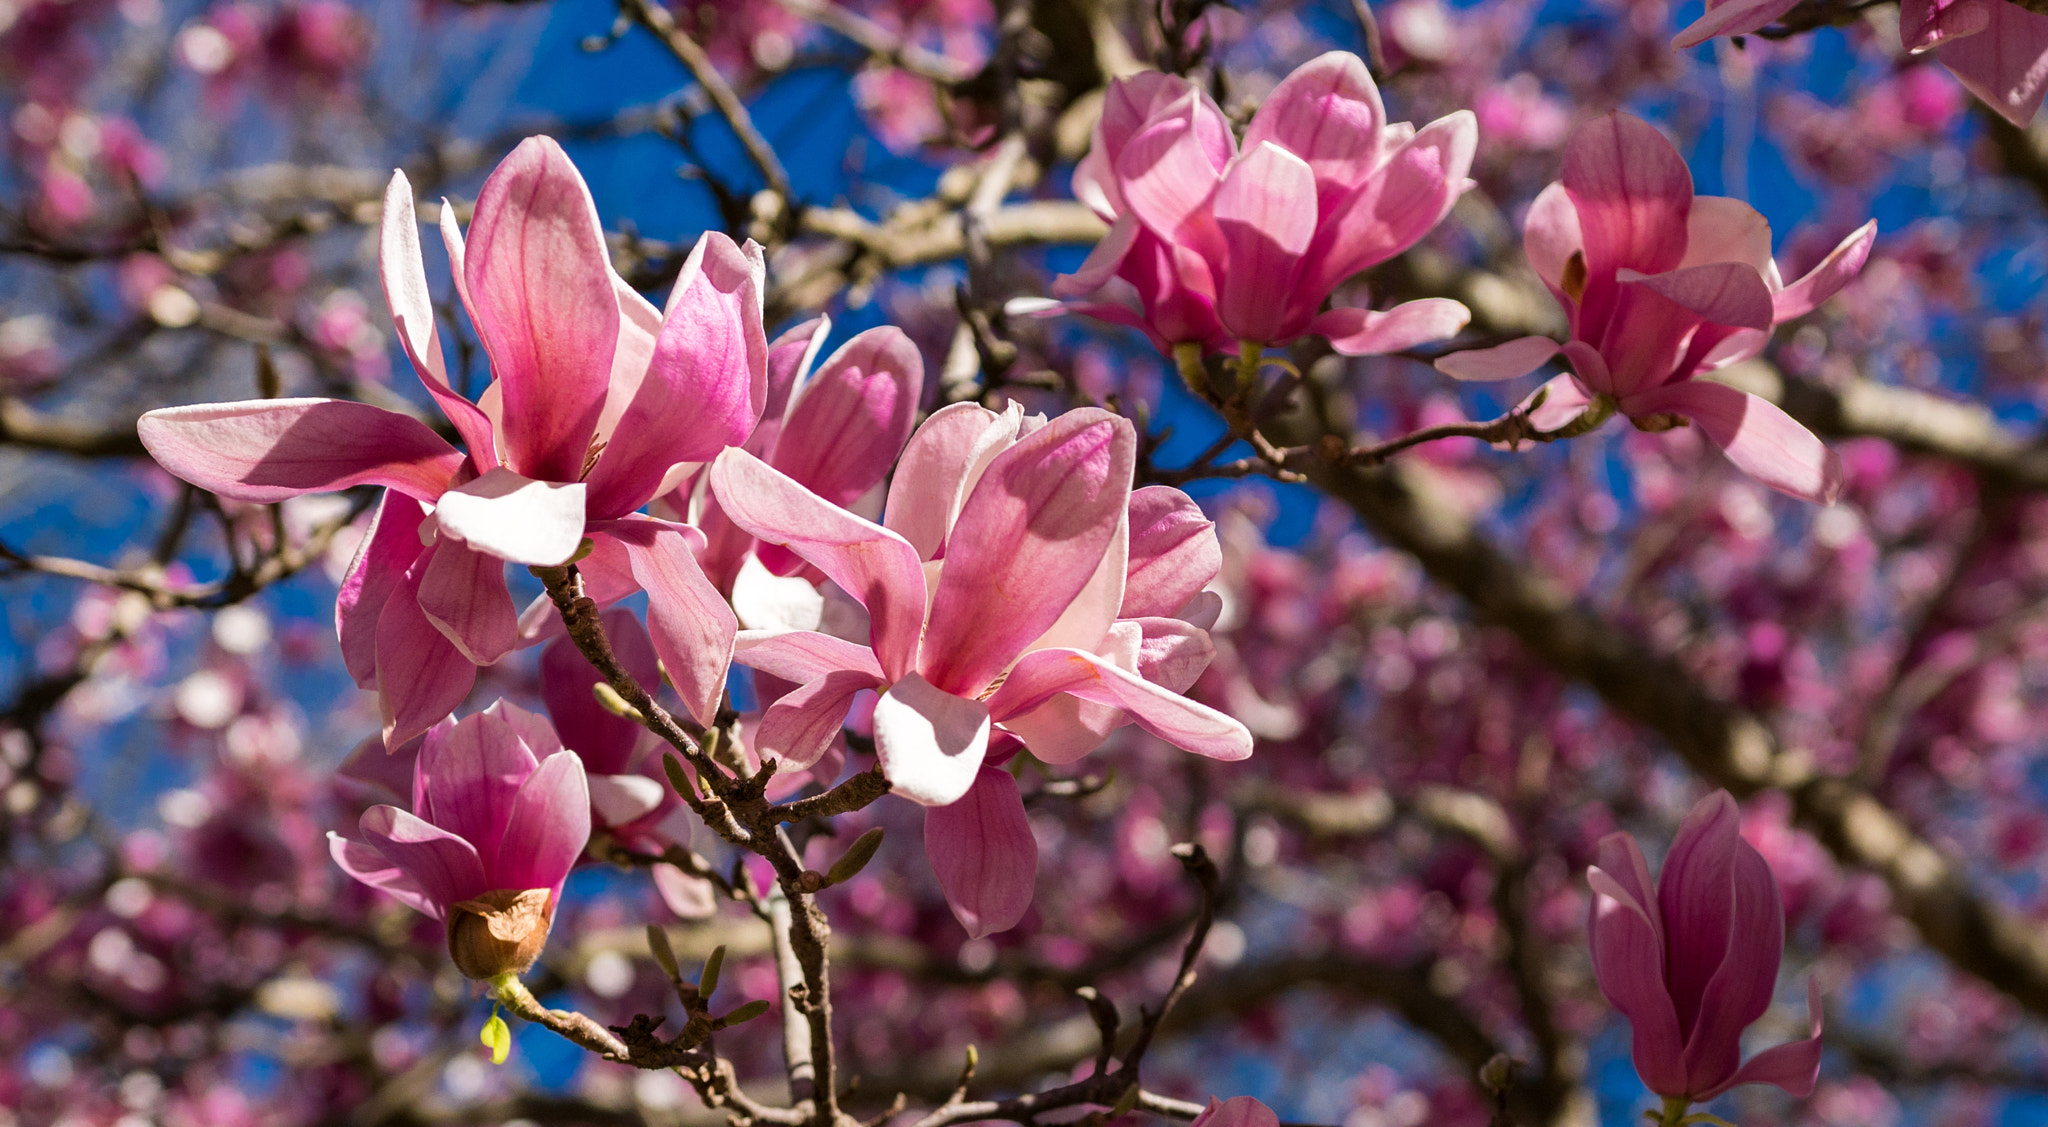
{"type": "Point", "coordinates": [1998, 50]}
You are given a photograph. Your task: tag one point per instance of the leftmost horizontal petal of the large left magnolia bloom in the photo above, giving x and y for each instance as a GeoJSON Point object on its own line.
{"type": "Point", "coordinates": [273, 450]}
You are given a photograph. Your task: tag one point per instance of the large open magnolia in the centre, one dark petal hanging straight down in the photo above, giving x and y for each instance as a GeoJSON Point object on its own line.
{"type": "Point", "coordinates": [1021, 593]}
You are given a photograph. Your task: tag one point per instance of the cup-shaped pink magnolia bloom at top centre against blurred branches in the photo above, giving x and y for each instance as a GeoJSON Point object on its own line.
{"type": "Point", "coordinates": [1218, 245]}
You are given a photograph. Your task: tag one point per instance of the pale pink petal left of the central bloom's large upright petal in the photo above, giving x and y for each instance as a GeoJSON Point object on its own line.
{"type": "Point", "coordinates": [941, 466]}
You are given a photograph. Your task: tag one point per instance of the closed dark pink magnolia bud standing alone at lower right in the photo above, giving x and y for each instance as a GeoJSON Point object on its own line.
{"type": "Point", "coordinates": [1693, 962]}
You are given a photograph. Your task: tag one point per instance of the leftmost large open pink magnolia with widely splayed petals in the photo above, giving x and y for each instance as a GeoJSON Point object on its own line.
{"type": "Point", "coordinates": [597, 401]}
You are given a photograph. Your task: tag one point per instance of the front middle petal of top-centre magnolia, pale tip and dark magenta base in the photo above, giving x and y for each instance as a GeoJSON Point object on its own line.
{"type": "Point", "coordinates": [1267, 216]}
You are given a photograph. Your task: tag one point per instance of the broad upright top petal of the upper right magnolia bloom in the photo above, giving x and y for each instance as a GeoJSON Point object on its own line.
{"type": "Point", "coordinates": [1631, 192]}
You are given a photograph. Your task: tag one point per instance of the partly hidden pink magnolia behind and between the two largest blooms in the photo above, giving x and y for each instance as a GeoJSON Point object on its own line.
{"type": "Point", "coordinates": [837, 431]}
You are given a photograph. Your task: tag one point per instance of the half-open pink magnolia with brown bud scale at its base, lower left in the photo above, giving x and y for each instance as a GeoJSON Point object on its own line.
{"type": "Point", "coordinates": [501, 815]}
